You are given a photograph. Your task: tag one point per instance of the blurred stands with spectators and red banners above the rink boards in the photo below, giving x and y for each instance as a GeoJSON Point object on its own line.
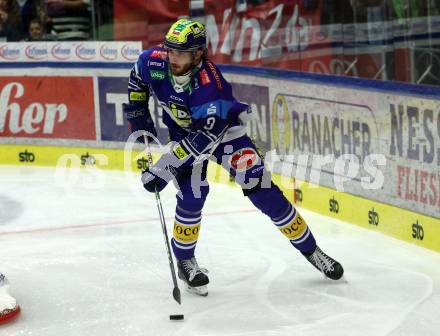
{"type": "Point", "coordinates": [394, 40]}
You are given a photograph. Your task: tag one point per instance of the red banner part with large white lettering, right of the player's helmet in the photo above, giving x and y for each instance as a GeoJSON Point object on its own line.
{"type": "Point", "coordinates": [273, 33]}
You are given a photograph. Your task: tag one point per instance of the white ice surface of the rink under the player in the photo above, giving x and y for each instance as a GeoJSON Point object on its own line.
{"type": "Point", "coordinates": [85, 255]}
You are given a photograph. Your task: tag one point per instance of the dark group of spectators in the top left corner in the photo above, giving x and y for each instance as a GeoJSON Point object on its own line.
{"type": "Point", "coordinates": [37, 20]}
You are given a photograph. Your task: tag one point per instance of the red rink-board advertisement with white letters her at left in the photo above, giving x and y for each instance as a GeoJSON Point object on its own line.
{"type": "Point", "coordinates": [47, 107]}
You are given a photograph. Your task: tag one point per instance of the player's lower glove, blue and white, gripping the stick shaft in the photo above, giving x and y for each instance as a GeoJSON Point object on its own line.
{"type": "Point", "coordinates": [157, 177]}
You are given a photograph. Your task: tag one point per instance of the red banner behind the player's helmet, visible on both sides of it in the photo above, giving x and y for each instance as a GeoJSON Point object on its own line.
{"type": "Point", "coordinates": [273, 33]}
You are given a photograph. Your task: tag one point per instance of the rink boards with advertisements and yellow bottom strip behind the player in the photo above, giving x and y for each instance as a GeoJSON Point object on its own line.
{"type": "Point", "coordinates": [358, 154]}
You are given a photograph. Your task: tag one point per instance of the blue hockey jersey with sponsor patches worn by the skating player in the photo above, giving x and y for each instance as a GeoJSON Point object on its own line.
{"type": "Point", "coordinates": [198, 115]}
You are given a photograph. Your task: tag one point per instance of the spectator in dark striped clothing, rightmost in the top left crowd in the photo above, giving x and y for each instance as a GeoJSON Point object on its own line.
{"type": "Point", "coordinates": [71, 19]}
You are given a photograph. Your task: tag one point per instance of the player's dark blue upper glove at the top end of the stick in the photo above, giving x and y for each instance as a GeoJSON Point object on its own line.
{"type": "Point", "coordinates": [139, 119]}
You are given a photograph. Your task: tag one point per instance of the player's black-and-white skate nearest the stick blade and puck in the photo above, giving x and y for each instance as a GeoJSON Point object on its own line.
{"type": "Point", "coordinates": [195, 278]}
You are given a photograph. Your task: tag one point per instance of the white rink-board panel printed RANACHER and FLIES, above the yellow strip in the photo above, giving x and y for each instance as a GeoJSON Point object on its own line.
{"type": "Point", "coordinates": [378, 145]}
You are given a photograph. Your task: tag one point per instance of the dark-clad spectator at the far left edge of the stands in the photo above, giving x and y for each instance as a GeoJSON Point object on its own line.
{"type": "Point", "coordinates": [10, 21]}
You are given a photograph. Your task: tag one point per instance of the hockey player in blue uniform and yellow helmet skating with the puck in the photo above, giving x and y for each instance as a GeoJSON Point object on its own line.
{"type": "Point", "coordinates": [206, 121]}
